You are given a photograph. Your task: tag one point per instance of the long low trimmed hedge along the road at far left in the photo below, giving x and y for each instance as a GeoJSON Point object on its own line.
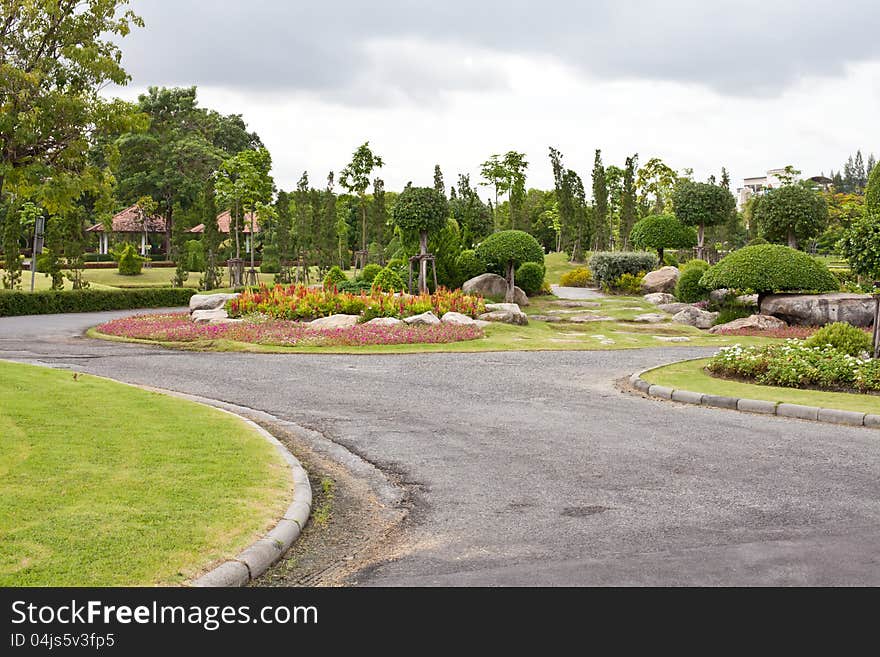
{"type": "Point", "coordinates": [47, 302]}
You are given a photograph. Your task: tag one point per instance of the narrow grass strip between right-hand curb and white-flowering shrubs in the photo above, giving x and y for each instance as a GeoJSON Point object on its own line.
{"type": "Point", "coordinates": [691, 375]}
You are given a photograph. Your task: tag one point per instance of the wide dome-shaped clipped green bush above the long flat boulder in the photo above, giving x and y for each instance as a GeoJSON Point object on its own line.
{"type": "Point", "coordinates": [769, 268]}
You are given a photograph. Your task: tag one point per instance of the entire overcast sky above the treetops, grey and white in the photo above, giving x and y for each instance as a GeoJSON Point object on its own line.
{"type": "Point", "coordinates": [750, 85]}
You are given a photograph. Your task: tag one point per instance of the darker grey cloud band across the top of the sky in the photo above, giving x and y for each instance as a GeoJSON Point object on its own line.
{"type": "Point", "coordinates": [357, 52]}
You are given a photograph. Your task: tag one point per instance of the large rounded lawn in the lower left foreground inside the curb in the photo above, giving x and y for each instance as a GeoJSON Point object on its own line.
{"type": "Point", "coordinates": [104, 484]}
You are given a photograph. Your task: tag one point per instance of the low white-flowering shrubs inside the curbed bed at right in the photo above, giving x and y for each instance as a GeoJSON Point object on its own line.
{"type": "Point", "coordinates": [794, 364]}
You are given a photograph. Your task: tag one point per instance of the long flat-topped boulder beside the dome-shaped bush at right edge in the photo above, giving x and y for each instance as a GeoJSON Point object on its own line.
{"type": "Point", "coordinates": [820, 309]}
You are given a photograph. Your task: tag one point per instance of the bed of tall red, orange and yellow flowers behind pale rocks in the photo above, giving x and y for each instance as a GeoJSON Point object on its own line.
{"type": "Point", "coordinates": [300, 302]}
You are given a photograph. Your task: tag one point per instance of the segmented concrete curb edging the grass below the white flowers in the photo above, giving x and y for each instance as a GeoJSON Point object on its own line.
{"type": "Point", "coordinates": [811, 413]}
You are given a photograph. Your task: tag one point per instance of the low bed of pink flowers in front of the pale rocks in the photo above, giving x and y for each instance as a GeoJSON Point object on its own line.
{"type": "Point", "coordinates": [178, 327]}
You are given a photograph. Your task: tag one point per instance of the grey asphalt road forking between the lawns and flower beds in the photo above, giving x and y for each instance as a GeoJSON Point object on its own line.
{"type": "Point", "coordinates": [533, 469]}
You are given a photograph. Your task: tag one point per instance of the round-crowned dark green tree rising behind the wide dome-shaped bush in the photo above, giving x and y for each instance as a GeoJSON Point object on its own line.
{"type": "Point", "coordinates": [790, 214]}
